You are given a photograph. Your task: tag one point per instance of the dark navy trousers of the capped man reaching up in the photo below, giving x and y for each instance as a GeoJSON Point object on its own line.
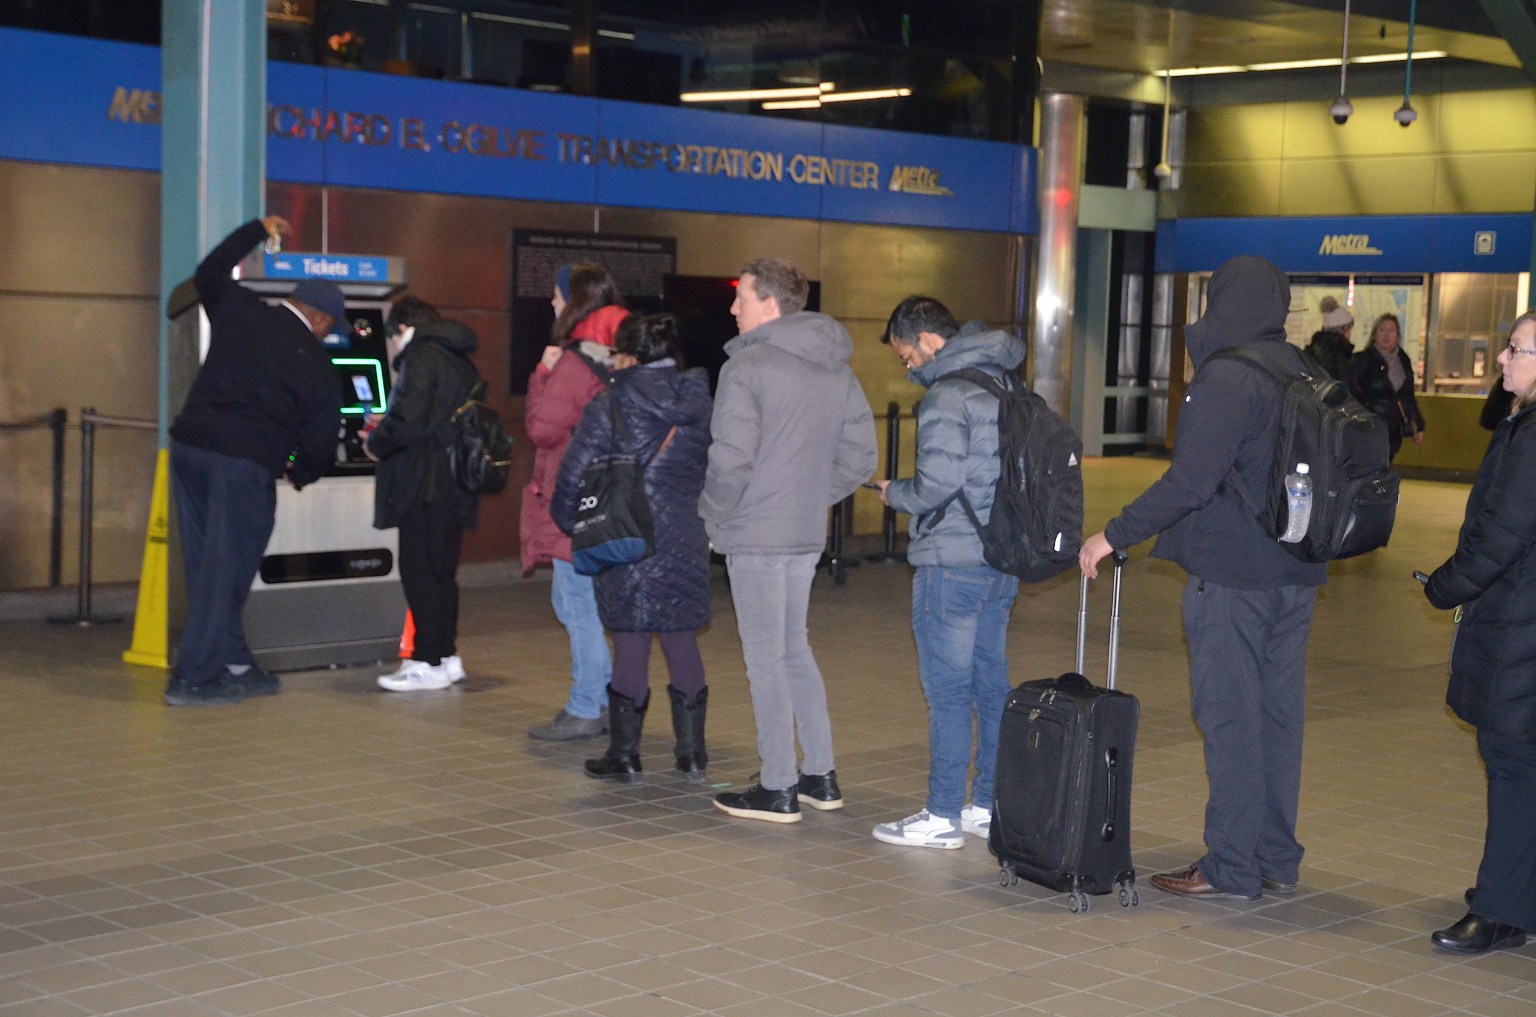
{"type": "Point", "coordinates": [225, 514]}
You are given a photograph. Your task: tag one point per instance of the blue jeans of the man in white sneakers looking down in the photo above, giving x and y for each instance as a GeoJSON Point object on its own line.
{"type": "Point", "coordinates": [961, 626]}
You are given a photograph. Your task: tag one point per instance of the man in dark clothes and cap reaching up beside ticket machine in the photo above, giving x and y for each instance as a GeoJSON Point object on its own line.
{"type": "Point", "coordinates": [265, 405]}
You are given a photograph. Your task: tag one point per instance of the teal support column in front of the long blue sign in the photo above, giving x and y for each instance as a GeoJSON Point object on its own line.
{"type": "Point", "coordinates": [213, 139]}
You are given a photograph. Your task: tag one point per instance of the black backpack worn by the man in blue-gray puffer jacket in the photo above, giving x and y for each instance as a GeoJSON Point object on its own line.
{"type": "Point", "coordinates": [1036, 528]}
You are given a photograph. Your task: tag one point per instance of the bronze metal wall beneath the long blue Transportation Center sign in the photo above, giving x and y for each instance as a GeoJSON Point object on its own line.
{"type": "Point", "coordinates": [91, 236]}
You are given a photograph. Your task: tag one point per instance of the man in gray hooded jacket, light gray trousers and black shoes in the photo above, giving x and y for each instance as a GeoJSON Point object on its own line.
{"type": "Point", "coordinates": [792, 436]}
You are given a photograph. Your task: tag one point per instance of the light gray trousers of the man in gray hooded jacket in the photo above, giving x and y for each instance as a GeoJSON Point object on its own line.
{"type": "Point", "coordinates": [773, 597]}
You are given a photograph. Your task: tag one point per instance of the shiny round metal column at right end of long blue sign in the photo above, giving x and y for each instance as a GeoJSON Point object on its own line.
{"type": "Point", "coordinates": [1064, 139]}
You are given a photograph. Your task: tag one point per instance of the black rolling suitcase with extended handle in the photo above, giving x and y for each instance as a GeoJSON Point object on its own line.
{"type": "Point", "coordinates": [1065, 752]}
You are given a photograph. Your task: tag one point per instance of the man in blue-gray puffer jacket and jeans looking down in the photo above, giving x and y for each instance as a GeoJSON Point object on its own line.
{"type": "Point", "coordinates": [961, 605]}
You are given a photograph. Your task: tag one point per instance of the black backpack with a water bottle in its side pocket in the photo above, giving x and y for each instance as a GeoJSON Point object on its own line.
{"type": "Point", "coordinates": [1346, 449]}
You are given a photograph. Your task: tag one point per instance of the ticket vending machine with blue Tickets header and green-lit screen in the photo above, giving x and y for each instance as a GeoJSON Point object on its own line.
{"type": "Point", "coordinates": [329, 585]}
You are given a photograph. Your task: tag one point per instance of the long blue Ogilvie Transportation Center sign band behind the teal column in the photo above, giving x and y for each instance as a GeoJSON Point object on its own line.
{"type": "Point", "coordinates": [360, 130]}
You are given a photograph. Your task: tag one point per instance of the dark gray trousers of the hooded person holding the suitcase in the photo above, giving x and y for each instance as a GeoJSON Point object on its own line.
{"type": "Point", "coordinates": [1248, 672]}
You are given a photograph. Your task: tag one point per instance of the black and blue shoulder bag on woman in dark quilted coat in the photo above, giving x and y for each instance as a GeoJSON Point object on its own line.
{"type": "Point", "coordinates": [614, 517]}
